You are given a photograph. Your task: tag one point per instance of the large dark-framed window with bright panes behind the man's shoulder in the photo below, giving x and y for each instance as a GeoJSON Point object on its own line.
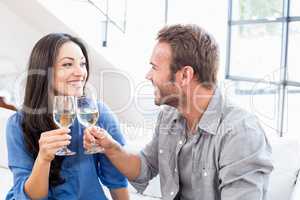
{"type": "Point", "coordinates": [262, 63]}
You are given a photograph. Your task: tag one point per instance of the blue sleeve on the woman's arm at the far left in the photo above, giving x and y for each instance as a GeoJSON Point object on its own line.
{"type": "Point", "coordinates": [19, 161]}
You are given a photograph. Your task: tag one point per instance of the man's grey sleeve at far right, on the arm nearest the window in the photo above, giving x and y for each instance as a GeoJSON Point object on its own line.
{"type": "Point", "coordinates": [245, 162]}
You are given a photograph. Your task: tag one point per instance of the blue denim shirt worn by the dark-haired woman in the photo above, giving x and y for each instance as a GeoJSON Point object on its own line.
{"type": "Point", "coordinates": [81, 172]}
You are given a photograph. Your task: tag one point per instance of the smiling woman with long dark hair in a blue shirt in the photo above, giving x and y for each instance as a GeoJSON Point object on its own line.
{"type": "Point", "coordinates": [58, 65]}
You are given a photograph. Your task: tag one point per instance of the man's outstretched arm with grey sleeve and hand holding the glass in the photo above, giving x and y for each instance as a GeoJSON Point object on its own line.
{"type": "Point", "coordinates": [139, 168]}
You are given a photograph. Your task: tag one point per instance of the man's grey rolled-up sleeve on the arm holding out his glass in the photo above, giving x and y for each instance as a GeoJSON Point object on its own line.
{"type": "Point", "coordinates": [149, 161]}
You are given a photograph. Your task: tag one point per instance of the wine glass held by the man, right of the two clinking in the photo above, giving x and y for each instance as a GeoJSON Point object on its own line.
{"type": "Point", "coordinates": [88, 114]}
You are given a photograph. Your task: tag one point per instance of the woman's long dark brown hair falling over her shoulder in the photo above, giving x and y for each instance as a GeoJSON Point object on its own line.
{"type": "Point", "coordinates": [37, 106]}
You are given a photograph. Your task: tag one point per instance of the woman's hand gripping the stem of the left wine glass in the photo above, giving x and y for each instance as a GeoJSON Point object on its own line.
{"type": "Point", "coordinates": [51, 141]}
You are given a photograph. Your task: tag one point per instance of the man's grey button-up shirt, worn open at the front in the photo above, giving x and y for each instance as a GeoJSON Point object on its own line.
{"type": "Point", "coordinates": [230, 158]}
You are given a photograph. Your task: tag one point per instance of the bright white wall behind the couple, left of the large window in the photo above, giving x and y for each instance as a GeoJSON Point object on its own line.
{"type": "Point", "coordinates": [24, 24]}
